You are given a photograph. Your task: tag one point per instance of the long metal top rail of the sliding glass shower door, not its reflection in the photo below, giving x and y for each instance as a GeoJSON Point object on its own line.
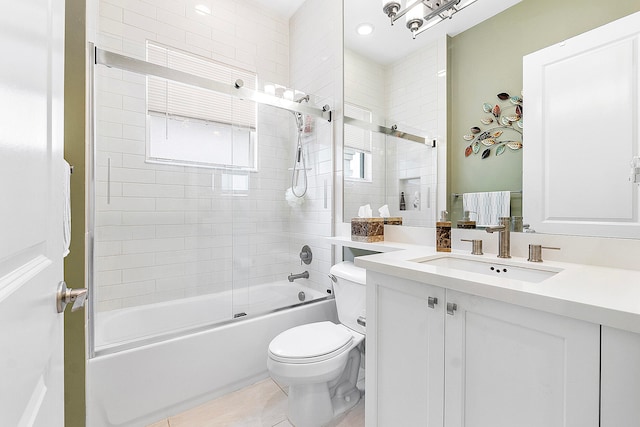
{"type": "Point", "coordinates": [138, 66]}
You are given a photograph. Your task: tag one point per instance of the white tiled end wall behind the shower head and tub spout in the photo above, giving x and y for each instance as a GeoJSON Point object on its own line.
{"type": "Point", "coordinates": [316, 67]}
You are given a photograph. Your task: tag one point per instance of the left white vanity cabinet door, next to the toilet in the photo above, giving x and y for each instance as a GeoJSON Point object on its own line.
{"type": "Point", "coordinates": [405, 354]}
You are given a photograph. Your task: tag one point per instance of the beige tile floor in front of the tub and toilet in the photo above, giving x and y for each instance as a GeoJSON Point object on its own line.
{"type": "Point", "coordinates": [263, 404]}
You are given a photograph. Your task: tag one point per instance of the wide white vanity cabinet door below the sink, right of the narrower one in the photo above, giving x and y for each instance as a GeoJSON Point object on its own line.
{"type": "Point", "coordinates": [512, 366]}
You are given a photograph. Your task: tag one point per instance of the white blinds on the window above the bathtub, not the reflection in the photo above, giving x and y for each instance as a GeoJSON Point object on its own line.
{"type": "Point", "coordinates": [169, 97]}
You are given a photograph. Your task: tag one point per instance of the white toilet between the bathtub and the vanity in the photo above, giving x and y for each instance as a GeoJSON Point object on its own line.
{"type": "Point", "coordinates": [320, 361]}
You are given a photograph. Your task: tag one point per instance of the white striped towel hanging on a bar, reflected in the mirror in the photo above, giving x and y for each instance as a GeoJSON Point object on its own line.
{"type": "Point", "coordinates": [485, 208]}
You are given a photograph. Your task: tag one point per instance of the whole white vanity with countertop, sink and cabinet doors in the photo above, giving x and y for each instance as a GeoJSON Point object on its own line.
{"type": "Point", "coordinates": [451, 342]}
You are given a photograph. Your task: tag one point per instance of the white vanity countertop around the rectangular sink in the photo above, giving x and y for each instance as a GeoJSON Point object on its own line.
{"type": "Point", "coordinates": [603, 295]}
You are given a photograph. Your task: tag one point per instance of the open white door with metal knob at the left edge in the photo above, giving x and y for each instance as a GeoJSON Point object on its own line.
{"type": "Point", "coordinates": [31, 144]}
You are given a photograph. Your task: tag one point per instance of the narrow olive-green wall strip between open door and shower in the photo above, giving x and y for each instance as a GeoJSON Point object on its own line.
{"type": "Point", "coordinates": [74, 153]}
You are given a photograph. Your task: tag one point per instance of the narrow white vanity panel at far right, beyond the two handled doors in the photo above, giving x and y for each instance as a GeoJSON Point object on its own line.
{"type": "Point", "coordinates": [620, 378]}
